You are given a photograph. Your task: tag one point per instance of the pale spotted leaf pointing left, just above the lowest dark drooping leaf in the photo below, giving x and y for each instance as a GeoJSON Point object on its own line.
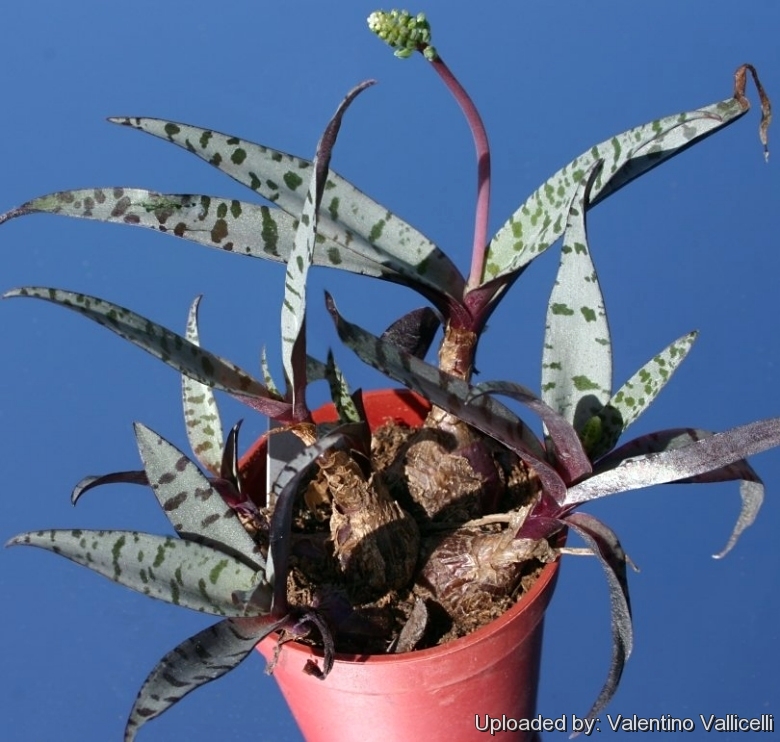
{"type": "Point", "coordinates": [163, 567]}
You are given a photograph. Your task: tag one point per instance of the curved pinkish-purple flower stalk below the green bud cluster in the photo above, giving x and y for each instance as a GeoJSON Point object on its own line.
{"type": "Point", "coordinates": [483, 169]}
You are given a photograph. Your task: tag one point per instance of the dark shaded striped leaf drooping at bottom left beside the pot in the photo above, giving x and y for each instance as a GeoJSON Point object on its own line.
{"type": "Point", "coordinates": [208, 655]}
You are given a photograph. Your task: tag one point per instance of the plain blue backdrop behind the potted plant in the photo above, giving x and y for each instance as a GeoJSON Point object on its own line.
{"type": "Point", "coordinates": [693, 245]}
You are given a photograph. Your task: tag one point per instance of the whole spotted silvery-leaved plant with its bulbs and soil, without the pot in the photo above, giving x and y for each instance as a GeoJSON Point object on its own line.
{"type": "Point", "coordinates": [432, 541]}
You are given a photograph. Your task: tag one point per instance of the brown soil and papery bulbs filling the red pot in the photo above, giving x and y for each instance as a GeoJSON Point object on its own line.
{"type": "Point", "coordinates": [392, 571]}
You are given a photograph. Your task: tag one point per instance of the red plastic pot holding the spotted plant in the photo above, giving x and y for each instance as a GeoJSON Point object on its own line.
{"type": "Point", "coordinates": [444, 694]}
